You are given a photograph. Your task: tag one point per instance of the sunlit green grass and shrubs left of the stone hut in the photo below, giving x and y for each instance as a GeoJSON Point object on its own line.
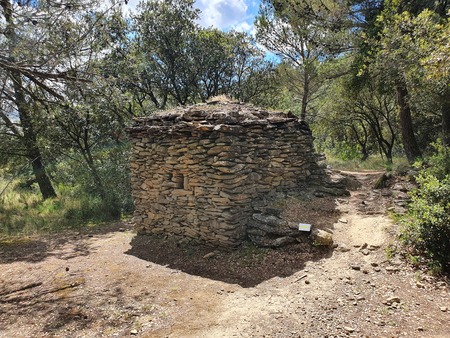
{"type": "Point", "coordinates": [22, 210]}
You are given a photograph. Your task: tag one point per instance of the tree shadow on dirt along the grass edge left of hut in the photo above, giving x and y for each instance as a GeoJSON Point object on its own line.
{"type": "Point", "coordinates": [37, 248]}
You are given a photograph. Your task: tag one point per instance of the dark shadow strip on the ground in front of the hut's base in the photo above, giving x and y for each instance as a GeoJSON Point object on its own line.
{"type": "Point", "coordinates": [247, 266]}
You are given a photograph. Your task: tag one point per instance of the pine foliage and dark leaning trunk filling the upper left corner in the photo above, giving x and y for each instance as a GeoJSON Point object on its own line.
{"type": "Point", "coordinates": [48, 53]}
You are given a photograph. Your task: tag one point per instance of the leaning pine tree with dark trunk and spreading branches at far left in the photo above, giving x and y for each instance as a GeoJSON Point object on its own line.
{"type": "Point", "coordinates": [44, 47]}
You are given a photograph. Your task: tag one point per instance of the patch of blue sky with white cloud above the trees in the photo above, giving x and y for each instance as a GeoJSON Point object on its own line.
{"type": "Point", "coordinates": [225, 14]}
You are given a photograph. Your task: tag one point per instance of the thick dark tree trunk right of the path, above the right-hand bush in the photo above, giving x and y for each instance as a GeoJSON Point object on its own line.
{"type": "Point", "coordinates": [409, 139]}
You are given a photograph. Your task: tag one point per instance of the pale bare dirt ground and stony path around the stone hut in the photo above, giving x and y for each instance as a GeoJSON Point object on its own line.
{"type": "Point", "coordinates": [109, 282]}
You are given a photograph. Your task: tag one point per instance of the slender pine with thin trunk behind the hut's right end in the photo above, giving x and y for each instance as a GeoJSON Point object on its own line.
{"type": "Point", "coordinates": [301, 45]}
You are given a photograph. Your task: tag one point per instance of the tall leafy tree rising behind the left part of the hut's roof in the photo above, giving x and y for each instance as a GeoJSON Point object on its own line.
{"type": "Point", "coordinates": [164, 32]}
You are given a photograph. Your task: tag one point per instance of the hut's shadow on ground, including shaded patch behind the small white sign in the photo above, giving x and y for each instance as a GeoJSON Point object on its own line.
{"type": "Point", "coordinates": [248, 265]}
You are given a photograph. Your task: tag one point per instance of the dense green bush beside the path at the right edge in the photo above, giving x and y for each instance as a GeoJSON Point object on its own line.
{"type": "Point", "coordinates": [426, 226]}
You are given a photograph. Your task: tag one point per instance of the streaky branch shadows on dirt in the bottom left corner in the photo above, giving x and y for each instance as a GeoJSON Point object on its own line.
{"type": "Point", "coordinates": [60, 298]}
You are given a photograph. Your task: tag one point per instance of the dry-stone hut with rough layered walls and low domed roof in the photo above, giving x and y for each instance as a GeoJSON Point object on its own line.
{"type": "Point", "coordinates": [196, 171]}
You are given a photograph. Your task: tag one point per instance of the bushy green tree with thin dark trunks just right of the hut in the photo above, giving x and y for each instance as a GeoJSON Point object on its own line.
{"type": "Point", "coordinates": [362, 117]}
